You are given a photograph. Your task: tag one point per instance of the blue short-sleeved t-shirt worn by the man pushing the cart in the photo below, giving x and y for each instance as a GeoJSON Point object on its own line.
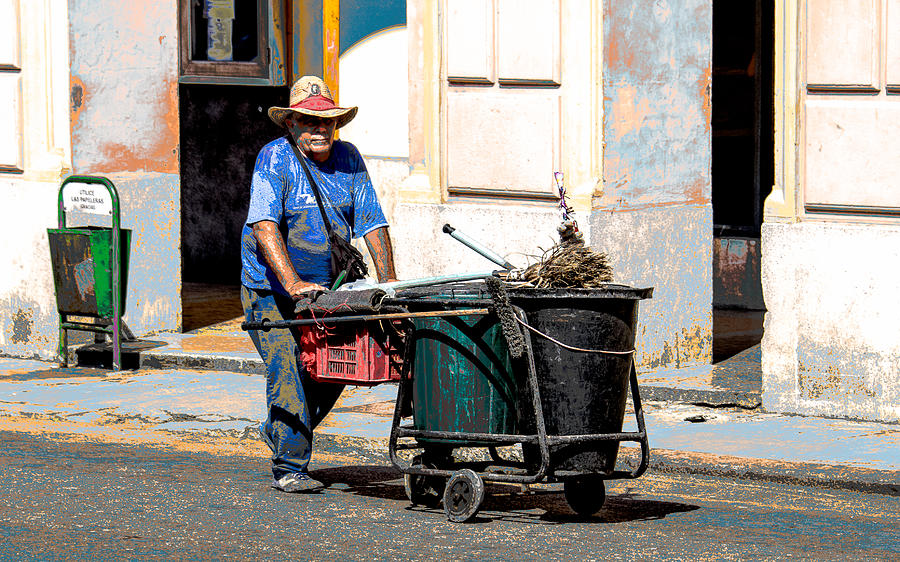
{"type": "Point", "coordinates": [280, 193]}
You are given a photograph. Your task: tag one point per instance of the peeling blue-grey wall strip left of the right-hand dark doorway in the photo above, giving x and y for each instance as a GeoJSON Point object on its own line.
{"type": "Point", "coordinates": [654, 216]}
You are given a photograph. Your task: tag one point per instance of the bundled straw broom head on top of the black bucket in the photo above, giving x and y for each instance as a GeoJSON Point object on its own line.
{"type": "Point", "coordinates": [569, 265]}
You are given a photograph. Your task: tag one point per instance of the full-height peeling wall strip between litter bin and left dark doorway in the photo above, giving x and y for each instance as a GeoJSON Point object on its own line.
{"type": "Point", "coordinates": [124, 92]}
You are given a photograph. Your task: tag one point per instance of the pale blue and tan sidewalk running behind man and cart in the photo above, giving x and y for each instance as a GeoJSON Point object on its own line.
{"type": "Point", "coordinates": [205, 389]}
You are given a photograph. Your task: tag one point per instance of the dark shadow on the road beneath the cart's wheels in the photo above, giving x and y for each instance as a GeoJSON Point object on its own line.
{"type": "Point", "coordinates": [502, 502]}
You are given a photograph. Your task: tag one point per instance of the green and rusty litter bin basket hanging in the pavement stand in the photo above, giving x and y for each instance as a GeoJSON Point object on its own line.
{"type": "Point", "coordinates": [82, 272]}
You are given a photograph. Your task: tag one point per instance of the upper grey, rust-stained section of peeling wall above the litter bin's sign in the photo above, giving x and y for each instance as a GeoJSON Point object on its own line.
{"type": "Point", "coordinates": [124, 68]}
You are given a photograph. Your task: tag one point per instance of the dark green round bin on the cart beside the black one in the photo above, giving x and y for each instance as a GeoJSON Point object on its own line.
{"type": "Point", "coordinates": [463, 379]}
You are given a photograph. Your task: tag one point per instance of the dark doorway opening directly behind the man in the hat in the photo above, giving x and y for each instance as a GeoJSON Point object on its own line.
{"type": "Point", "coordinates": [222, 130]}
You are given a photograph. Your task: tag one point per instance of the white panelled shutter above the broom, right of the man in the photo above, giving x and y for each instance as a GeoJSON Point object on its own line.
{"type": "Point", "coordinates": [502, 88]}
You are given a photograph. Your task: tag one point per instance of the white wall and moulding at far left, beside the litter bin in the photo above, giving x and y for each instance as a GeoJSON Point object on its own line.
{"type": "Point", "coordinates": [28, 326]}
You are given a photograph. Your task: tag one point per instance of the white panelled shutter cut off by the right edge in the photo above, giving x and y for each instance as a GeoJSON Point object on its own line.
{"type": "Point", "coordinates": [850, 99]}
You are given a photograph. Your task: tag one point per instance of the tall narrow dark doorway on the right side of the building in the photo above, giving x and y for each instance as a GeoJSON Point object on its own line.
{"type": "Point", "coordinates": [742, 166]}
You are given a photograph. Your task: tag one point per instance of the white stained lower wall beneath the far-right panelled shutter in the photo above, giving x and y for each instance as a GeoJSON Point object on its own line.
{"type": "Point", "coordinates": [832, 340]}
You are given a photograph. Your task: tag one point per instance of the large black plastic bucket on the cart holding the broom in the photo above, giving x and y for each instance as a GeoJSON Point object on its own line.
{"type": "Point", "coordinates": [581, 392]}
